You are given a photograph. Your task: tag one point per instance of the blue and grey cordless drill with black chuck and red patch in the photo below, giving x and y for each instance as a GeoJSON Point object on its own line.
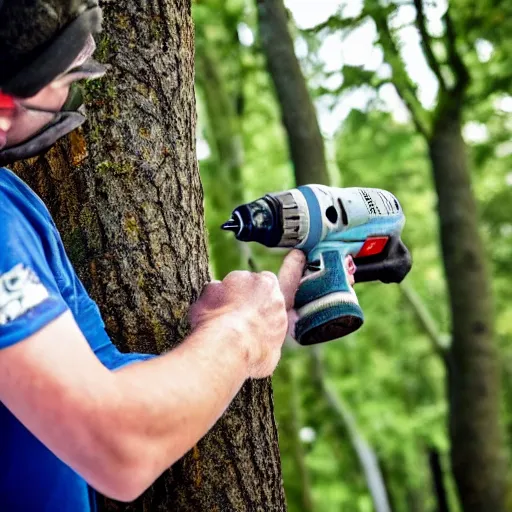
{"type": "Point", "coordinates": [329, 224]}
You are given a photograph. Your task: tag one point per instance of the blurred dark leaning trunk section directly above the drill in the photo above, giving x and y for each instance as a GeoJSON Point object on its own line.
{"type": "Point", "coordinates": [298, 112]}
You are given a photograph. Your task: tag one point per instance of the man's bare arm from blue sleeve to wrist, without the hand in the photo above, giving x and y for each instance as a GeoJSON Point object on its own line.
{"type": "Point", "coordinates": [120, 430]}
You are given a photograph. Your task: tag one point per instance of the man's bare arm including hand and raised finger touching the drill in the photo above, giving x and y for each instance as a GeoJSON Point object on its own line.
{"type": "Point", "coordinates": [121, 430]}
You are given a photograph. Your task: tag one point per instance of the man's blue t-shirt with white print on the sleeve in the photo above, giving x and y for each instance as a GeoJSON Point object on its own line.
{"type": "Point", "coordinates": [37, 285]}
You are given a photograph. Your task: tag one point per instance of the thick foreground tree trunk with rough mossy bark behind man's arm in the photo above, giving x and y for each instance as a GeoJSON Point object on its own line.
{"type": "Point", "coordinates": [128, 200]}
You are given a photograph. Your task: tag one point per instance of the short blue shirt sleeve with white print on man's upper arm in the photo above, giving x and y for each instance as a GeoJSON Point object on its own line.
{"type": "Point", "coordinates": [29, 296]}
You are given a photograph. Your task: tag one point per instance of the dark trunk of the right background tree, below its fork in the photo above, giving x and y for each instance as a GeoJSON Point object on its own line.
{"type": "Point", "coordinates": [477, 448]}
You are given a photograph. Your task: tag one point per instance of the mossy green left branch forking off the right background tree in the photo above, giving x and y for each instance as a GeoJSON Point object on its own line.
{"type": "Point", "coordinates": [401, 80]}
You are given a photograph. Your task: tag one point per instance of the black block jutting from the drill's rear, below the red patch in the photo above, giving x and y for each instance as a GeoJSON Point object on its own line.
{"type": "Point", "coordinates": [390, 266]}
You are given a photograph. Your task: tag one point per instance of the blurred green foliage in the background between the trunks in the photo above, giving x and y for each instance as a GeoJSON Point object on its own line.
{"type": "Point", "coordinates": [387, 374]}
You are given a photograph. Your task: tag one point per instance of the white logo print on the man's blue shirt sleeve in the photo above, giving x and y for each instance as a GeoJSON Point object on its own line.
{"type": "Point", "coordinates": [20, 291]}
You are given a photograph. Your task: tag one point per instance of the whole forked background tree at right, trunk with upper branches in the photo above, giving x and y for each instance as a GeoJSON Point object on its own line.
{"type": "Point", "coordinates": [471, 361]}
